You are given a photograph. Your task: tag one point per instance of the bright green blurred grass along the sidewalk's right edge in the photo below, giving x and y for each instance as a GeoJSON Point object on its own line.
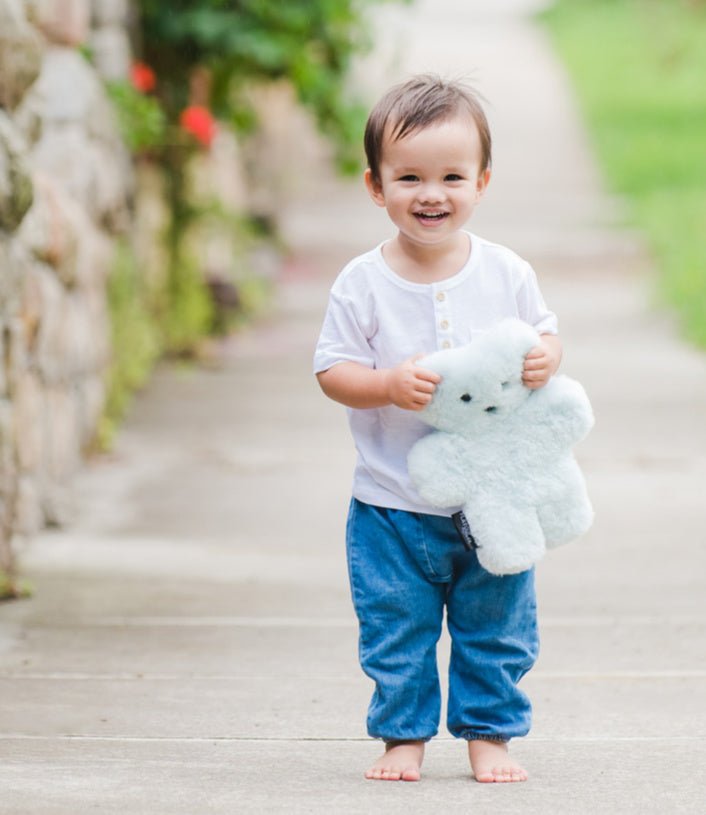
{"type": "Point", "coordinates": [639, 68]}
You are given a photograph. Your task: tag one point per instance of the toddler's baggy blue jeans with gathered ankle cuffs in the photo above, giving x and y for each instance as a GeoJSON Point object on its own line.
{"type": "Point", "coordinates": [404, 568]}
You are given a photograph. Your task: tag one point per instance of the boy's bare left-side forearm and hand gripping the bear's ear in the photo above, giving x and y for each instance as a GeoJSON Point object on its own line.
{"type": "Point", "coordinates": [408, 385]}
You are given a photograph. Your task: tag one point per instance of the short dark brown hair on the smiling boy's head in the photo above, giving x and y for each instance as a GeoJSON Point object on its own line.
{"type": "Point", "coordinates": [417, 103]}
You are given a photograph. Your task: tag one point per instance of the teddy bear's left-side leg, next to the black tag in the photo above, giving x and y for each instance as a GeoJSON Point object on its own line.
{"type": "Point", "coordinates": [509, 538]}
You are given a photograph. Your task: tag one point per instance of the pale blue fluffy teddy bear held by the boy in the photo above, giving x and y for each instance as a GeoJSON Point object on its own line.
{"type": "Point", "coordinates": [503, 452]}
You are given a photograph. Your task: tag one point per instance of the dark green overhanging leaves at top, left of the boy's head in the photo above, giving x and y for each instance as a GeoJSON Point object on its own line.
{"type": "Point", "coordinates": [241, 42]}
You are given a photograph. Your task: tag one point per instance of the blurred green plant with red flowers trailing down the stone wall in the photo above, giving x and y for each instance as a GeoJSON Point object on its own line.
{"type": "Point", "coordinates": [200, 60]}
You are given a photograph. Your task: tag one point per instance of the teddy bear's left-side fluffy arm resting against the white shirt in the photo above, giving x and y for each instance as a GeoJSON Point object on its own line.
{"type": "Point", "coordinates": [436, 467]}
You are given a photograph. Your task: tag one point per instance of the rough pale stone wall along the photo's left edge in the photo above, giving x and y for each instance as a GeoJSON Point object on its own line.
{"type": "Point", "coordinates": [65, 186]}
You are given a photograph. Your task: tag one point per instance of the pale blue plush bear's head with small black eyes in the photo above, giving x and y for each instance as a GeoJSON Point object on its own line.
{"type": "Point", "coordinates": [481, 383]}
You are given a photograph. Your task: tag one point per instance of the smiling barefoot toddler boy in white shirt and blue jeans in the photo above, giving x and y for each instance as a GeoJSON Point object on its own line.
{"type": "Point", "coordinates": [432, 286]}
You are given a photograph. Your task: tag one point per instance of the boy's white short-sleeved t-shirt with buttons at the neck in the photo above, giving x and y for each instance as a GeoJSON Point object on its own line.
{"type": "Point", "coordinates": [379, 319]}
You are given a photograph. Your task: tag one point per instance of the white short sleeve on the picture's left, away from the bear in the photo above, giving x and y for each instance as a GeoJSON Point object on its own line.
{"type": "Point", "coordinates": [343, 336]}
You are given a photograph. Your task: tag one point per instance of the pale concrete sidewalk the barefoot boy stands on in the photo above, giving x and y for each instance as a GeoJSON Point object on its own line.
{"type": "Point", "coordinates": [191, 647]}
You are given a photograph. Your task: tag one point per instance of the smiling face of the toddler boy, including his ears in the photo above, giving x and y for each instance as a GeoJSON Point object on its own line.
{"type": "Point", "coordinates": [431, 180]}
